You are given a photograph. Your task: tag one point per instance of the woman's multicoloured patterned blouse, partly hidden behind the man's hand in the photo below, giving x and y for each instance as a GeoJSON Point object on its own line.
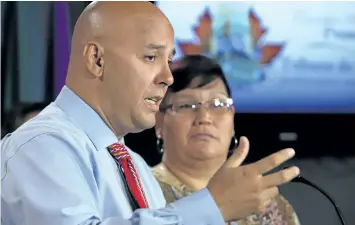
{"type": "Point", "coordinates": [278, 212]}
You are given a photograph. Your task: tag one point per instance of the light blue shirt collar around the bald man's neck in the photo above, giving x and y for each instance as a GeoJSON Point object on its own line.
{"type": "Point", "coordinates": [86, 118]}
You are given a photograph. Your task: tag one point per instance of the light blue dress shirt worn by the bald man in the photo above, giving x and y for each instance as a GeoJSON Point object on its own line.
{"type": "Point", "coordinates": [55, 169]}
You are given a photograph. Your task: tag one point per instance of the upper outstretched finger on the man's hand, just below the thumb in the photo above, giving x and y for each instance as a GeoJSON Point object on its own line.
{"type": "Point", "coordinates": [272, 161]}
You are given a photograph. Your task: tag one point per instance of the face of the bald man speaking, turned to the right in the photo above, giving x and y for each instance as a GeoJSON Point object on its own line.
{"type": "Point", "coordinates": [136, 73]}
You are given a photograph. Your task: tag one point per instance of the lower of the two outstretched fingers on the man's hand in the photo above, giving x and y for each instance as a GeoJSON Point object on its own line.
{"type": "Point", "coordinates": [280, 177]}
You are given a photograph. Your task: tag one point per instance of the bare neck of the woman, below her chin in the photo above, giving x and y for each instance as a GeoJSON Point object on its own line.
{"type": "Point", "coordinates": [194, 174]}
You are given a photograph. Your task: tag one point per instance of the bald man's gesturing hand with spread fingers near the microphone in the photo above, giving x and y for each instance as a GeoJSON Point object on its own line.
{"type": "Point", "coordinates": [240, 191]}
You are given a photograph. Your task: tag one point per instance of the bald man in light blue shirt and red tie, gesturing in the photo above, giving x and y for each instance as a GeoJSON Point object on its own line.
{"type": "Point", "coordinates": [69, 165]}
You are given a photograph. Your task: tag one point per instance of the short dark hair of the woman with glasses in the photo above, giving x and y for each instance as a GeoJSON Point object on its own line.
{"type": "Point", "coordinates": [191, 67]}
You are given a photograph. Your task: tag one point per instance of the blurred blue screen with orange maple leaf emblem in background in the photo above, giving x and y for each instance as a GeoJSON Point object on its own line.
{"type": "Point", "coordinates": [296, 57]}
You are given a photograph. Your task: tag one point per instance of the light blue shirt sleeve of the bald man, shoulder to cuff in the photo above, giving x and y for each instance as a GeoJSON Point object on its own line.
{"type": "Point", "coordinates": [48, 181]}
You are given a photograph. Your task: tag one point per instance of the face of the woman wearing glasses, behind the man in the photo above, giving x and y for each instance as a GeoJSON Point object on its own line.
{"type": "Point", "coordinates": [201, 134]}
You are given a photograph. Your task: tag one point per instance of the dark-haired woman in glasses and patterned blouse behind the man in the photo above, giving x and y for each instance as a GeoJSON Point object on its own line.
{"type": "Point", "coordinates": [196, 125]}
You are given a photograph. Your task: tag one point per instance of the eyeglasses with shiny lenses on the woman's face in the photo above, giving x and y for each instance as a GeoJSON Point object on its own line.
{"type": "Point", "coordinates": [218, 105]}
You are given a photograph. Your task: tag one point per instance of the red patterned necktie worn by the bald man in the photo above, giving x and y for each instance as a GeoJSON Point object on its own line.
{"type": "Point", "coordinates": [120, 153]}
